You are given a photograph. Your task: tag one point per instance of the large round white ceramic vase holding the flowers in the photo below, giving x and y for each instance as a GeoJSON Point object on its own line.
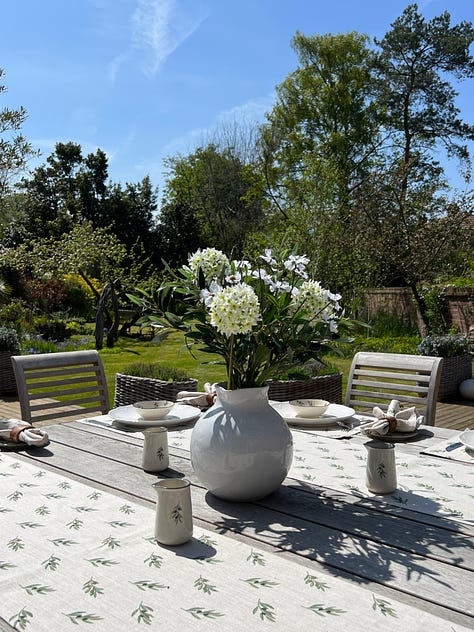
{"type": "Point", "coordinates": [241, 448]}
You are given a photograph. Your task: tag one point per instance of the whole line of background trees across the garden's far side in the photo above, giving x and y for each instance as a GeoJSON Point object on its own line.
{"type": "Point", "coordinates": [347, 168]}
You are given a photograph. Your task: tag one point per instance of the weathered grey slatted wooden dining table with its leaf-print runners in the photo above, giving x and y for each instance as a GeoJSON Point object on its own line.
{"type": "Point", "coordinates": [322, 552]}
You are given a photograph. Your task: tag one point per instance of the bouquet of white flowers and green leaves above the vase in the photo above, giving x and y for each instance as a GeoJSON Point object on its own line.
{"type": "Point", "coordinates": [261, 319]}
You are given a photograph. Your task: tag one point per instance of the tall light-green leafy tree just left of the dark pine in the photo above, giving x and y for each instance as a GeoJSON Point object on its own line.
{"type": "Point", "coordinates": [319, 145]}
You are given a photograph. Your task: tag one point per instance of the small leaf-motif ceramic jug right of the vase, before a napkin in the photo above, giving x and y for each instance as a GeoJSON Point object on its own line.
{"type": "Point", "coordinates": [381, 473]}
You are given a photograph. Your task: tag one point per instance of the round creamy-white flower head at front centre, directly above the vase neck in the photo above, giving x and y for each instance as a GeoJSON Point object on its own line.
{"type": "Point", "coordinates": [235, 310]}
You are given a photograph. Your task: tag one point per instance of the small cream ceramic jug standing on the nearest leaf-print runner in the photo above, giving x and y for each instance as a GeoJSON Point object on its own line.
{"type": "Point", "coordinates": [174, 516]}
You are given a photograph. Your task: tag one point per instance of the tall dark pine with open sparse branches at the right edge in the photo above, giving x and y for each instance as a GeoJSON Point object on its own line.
{"type": "Point", "coordinates": [413, 228]}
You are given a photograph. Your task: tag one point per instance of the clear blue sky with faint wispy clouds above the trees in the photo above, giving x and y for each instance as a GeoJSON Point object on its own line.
{"type": "Point", "coordinates": [146, 79]}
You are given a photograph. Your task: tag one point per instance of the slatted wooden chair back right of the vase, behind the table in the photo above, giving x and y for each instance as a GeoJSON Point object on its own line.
{"type": "Point", "coordinates": [377, 378]}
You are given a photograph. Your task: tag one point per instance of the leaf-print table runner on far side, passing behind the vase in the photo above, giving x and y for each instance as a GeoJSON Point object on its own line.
{"type": "Point", "coordinates": [439, 487]}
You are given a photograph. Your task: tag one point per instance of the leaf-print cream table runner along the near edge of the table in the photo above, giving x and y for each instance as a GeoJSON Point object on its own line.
{"type": "Point", "coordinates": [72, 557]}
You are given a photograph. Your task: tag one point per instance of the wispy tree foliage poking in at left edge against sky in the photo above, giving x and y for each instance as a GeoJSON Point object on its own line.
{"type": "Point", "coordinates": [15, 150]}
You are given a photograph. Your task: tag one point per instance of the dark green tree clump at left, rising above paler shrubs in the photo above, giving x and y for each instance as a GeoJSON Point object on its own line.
{"type": "Point", "coordinates": [72, 188]}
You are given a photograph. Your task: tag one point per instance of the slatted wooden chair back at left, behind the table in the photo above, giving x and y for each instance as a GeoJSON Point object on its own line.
{"type": "Point", "coordinates": [58, 385]}
